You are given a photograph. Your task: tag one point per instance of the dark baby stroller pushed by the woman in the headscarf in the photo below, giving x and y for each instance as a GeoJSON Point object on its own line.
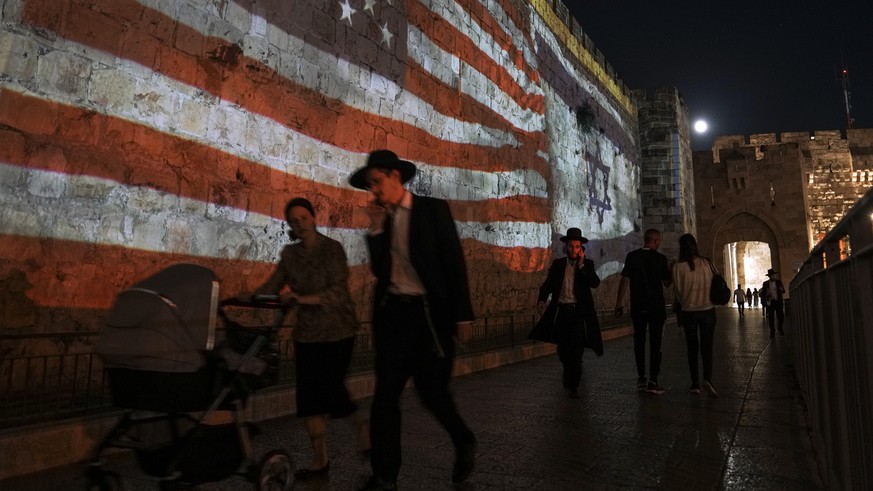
{"type": "Point", "coordinates": [183, 387]}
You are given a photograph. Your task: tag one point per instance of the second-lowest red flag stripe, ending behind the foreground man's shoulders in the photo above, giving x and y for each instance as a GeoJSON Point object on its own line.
{"type": "Point", "coordinates": [94, 144]}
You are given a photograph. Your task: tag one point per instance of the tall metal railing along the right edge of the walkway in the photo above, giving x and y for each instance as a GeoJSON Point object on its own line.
{"type": "Point", "coordinates": [832, 313]}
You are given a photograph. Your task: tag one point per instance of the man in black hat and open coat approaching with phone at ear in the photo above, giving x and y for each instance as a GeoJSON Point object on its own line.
{"type": "Point", "coordinates": [570, 319]}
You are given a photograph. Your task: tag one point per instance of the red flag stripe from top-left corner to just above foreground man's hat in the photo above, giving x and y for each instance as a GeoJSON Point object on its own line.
{"type": "Point", "coordinates": [220, 69]}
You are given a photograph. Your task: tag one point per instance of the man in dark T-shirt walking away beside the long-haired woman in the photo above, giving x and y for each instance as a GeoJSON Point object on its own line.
{"type": "Point", "coordinates": [648, 273]}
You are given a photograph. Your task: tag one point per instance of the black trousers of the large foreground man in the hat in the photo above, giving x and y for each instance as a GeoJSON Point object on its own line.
{"type": "Point", "coordinates": [405, 348]}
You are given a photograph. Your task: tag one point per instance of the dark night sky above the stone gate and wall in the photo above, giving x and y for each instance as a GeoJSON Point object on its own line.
{"type": "Point", "coordinates": [743, 66]}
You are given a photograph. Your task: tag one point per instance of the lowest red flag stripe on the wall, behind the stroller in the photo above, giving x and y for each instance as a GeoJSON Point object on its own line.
{"type": "Point", "coordinates": [81, 275]}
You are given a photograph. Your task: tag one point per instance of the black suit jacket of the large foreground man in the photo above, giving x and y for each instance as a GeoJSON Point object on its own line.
{"type": "Point", "coordinates": [436, 254]}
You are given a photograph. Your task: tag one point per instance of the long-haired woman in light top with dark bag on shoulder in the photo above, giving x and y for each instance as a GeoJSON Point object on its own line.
{"type": "Point", "coordinates": [692, 280]}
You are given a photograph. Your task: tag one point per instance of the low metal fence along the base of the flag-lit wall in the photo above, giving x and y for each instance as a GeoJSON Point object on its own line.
{"type": "Point", "coordinates": [41, 388]}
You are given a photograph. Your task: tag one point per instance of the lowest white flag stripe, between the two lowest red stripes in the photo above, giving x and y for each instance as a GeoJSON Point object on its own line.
{"type": "Point", "coordinates": [146, 219]}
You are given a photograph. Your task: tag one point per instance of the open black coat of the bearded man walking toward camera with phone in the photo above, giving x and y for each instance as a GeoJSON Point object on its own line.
{"type": "Point", "coordinates": [586, 279]}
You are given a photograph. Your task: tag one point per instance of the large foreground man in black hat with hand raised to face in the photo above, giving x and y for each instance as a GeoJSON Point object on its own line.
{"type": "Point", "coordinates": [422, 300]}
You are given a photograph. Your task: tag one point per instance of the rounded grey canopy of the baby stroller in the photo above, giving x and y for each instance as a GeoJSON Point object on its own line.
{"type": "Point", "coordinates": [164, 323]}
